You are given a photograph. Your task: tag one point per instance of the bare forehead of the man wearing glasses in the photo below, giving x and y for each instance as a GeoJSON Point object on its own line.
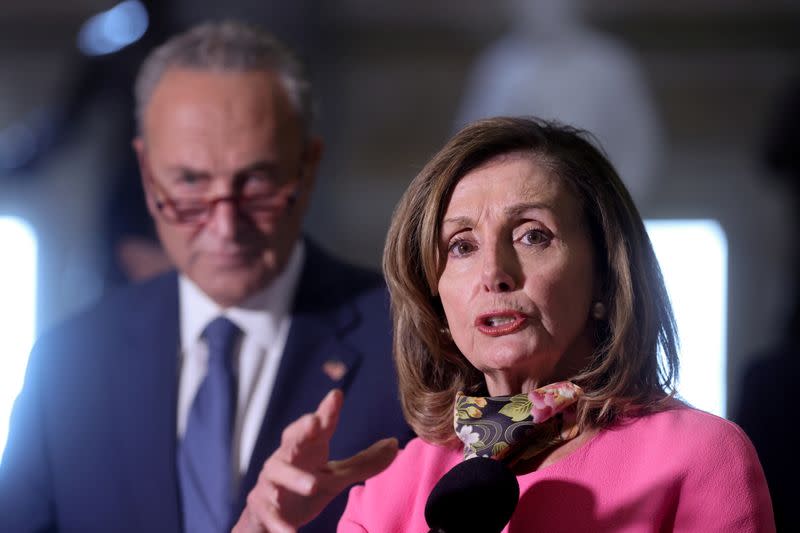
{"type": "Point", "coordinates": [218, 120]}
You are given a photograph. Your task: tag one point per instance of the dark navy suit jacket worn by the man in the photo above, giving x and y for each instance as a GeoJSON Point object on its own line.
{"type": "Point", "coordinates": [92, 440]}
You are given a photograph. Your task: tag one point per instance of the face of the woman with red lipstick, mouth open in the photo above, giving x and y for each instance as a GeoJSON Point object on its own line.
{"type": "Point", "coordinates": [518, 277]}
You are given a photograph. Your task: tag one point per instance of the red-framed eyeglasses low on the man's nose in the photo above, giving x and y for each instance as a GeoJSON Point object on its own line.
{"type": "Point", "coordinates": [262, 205]}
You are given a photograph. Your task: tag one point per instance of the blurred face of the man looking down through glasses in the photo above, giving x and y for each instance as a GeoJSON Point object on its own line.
{"type": "Point", "coordinates": [210, 135]}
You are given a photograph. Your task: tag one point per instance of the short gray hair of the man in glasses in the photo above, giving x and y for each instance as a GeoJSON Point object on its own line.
{"type": "Point", "coordinates": [226, 46]}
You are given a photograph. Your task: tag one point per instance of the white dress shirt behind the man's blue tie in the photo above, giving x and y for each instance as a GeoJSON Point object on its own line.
{"type": "Point", "coordinates": [264, 319]}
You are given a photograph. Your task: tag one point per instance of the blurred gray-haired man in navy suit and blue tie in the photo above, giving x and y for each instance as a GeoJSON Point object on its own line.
{"type": "Point", "coordinates": [155, 410]}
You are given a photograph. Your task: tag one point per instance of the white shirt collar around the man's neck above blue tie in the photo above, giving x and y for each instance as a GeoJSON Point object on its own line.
{"type": "Point", "coordinates": [258, 316]}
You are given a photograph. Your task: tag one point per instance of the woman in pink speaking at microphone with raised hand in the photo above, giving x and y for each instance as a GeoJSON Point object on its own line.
{"type": "Point", "coordinates": [525, 292]}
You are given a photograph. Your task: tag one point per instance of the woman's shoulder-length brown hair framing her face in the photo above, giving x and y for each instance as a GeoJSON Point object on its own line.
{"type": "Point", "coordinates": [635, 362]}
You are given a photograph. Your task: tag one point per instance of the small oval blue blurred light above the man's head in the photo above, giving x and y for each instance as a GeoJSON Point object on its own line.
{"type": "Point", "coordinates": [112, 30]}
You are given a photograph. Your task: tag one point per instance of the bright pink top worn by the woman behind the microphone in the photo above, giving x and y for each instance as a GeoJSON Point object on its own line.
{"type": "Point", "coordinates": [679, 470]}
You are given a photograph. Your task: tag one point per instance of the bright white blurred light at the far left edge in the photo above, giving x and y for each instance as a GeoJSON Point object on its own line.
{"type": "Point", "coordinates": [17, 312]}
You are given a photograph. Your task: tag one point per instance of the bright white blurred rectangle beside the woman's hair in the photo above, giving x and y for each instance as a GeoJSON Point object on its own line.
{"type": "Point", "coordinates": [693, 255]}
